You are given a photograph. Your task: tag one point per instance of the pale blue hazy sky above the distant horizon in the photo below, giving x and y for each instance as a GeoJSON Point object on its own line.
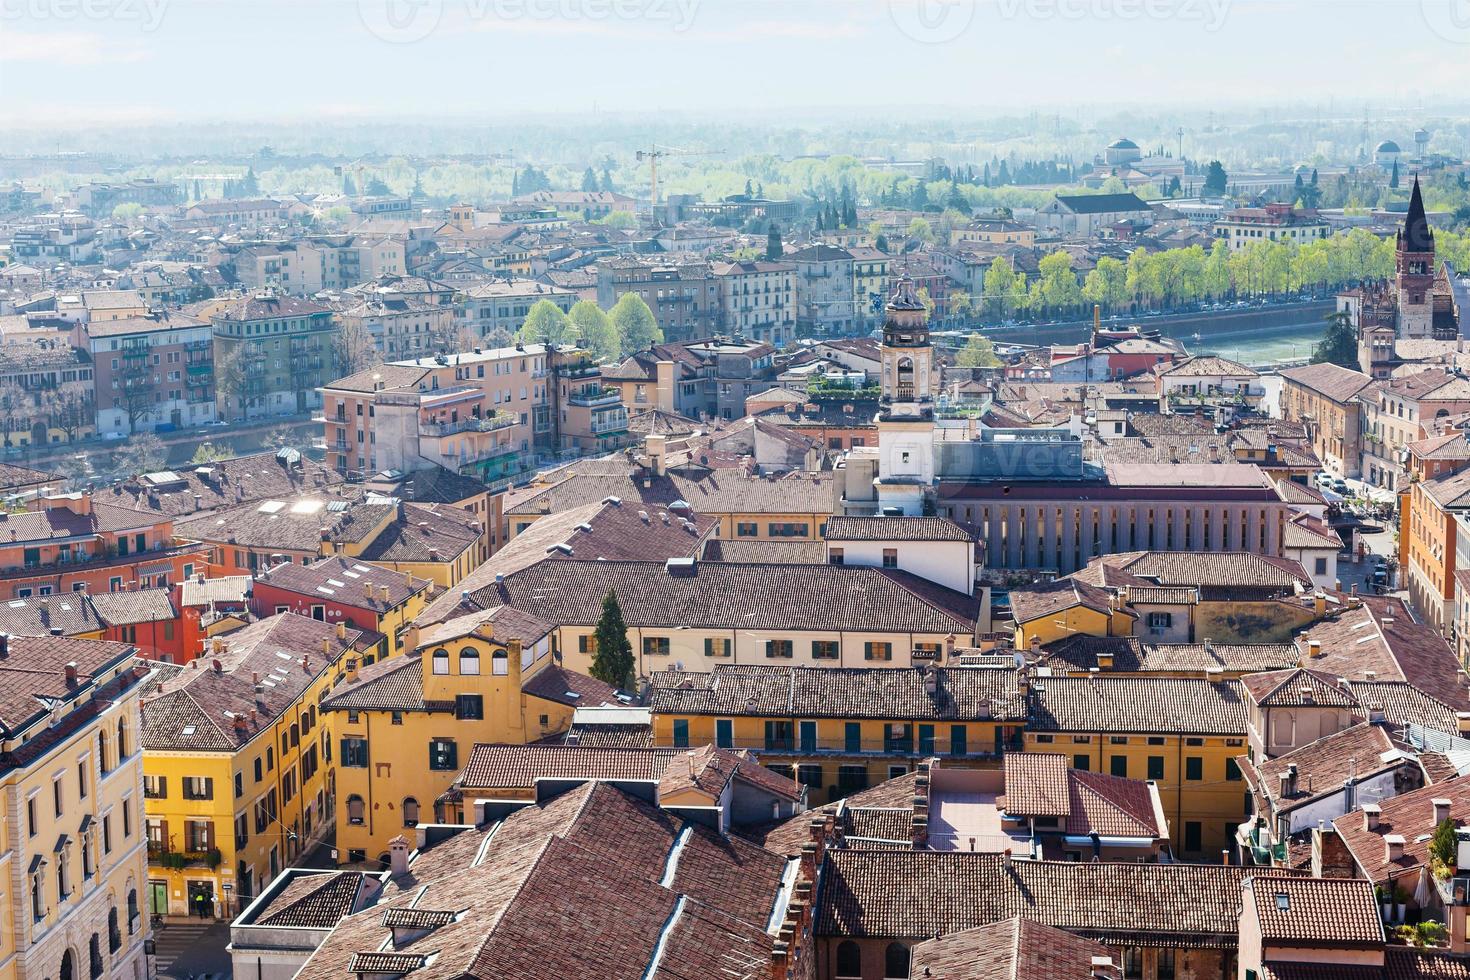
{"type": "Point", "coordinates": [85, 61]}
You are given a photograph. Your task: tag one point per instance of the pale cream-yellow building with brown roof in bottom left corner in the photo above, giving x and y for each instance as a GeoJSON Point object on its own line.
{"type": "Point", "coordinates": [76, 862]}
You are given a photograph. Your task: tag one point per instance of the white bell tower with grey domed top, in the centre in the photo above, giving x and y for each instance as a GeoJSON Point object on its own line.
{"type": "Point", "coordinates": [906, 464]}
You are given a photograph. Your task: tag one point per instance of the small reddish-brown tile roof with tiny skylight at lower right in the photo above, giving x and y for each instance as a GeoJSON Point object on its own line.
{"type": "Point", "coordinates": [1308, 912]}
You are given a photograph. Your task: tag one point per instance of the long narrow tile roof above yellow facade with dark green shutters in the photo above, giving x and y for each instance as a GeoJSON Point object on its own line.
{"type": "Point", "coordinates": [840, 693]}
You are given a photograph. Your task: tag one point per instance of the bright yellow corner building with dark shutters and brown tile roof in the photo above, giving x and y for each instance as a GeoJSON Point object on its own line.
{"type": "Point", "coordinates": [239, 765]}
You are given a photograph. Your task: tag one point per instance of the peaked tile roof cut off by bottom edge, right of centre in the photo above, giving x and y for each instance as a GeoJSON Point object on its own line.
{"type": "Point", "coordinates": [1006, 951]}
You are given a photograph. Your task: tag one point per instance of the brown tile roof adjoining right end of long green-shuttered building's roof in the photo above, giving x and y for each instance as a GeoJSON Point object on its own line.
{"type": "Point", "coordinates": [1184, 706]}
